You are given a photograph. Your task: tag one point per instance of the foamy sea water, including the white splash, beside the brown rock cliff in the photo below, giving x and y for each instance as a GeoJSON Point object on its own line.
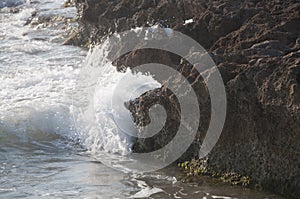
{"type": "Point", "coordinates": [51, 142]}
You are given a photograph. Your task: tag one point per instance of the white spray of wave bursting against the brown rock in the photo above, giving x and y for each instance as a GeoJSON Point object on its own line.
{"type": "Point", "coordinates": [95, 121]}
